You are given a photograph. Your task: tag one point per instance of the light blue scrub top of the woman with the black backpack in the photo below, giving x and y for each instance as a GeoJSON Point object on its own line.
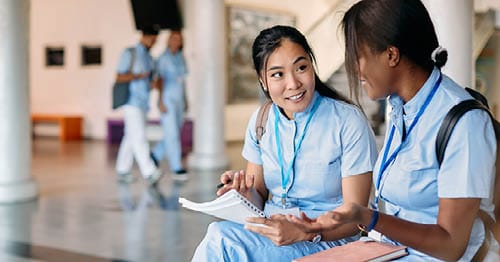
{"type": "Point", "coordinates": [412, 185]}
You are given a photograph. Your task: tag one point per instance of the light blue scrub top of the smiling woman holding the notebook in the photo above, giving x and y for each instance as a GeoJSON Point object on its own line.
{"type": "Point", "coordinates": [339, 143]}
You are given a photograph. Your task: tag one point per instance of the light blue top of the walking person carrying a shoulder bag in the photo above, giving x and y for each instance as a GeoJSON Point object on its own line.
{"type": "Point", "coordinates": [139, 88]}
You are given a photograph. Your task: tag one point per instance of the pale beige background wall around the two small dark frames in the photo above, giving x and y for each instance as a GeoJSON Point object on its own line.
{"type": "Point", "coordinates": [86, 90]}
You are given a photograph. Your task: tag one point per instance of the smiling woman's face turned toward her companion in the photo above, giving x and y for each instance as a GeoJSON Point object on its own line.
{"type": "Point", "coordinates": [288, 76]}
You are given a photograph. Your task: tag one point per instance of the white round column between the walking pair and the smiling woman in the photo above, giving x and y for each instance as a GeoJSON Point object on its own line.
{"type": "Point", "coordinates": [206, 22]}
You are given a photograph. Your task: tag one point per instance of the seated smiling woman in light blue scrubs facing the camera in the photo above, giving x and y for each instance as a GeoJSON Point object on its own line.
{"type": "Point", "coordinates": [317, 152]}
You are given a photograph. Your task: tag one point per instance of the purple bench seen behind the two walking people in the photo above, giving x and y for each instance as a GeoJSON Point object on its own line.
{"type": "Point", "coordinates": [115, 133]}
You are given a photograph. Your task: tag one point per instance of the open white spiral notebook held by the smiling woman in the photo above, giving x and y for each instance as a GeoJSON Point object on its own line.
{"type": "Point", "coordinates": [231, 206]}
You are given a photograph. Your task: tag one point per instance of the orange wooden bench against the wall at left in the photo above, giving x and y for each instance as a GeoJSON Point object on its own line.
{"type": "Point", "coordinates": [70, 126]}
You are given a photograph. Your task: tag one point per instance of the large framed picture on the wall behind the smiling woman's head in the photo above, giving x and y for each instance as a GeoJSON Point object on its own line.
{"type": "Point", "coordinates": [244, 25]}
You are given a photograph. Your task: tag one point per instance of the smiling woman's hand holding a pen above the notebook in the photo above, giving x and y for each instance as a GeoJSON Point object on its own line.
{"type": "Point", "coordinates": [237, 180]}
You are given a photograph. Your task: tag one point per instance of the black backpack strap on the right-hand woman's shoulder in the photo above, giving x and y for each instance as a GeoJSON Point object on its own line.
{"type": "Point", "coordinates": [449, 122]}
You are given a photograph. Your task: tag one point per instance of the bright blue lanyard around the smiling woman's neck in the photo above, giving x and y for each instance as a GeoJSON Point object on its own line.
{"type": "Point", "coordinates": [285, 176]}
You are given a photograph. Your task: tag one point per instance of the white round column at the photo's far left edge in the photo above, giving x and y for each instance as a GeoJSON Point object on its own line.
{"type": "Point", "coordinates": [16, 183]}
